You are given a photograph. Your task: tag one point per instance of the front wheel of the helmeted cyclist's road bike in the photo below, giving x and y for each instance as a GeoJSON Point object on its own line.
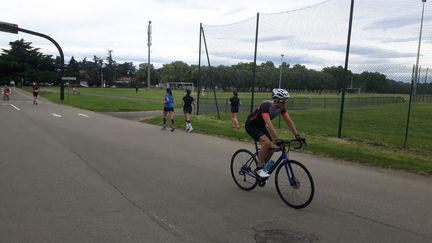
{"type": "Point", "coordinates": [296, 190]}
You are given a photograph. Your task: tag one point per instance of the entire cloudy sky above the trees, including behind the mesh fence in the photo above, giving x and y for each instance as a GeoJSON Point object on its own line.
{"type": "Point", "coordinates": [385, 31]}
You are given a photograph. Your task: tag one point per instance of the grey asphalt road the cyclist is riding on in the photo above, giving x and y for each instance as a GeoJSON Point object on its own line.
{"type": "Point", "coordinates": [70, 175]}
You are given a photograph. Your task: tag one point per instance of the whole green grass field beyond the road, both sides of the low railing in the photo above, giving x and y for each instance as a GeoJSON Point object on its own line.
{"type": "Point", "coordinates": [372, 134]}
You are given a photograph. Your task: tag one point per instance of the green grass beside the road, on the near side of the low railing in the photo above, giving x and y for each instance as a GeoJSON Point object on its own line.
{"type": "Point", "coordinates": [371, 137]}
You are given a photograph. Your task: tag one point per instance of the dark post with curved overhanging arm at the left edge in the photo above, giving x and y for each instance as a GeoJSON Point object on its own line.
{"type": "Point", "coordinates": [13, 28]}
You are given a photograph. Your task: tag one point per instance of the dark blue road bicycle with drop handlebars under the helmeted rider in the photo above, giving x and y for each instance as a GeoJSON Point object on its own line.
{"type": "Point", "coordinates": [293, 180]}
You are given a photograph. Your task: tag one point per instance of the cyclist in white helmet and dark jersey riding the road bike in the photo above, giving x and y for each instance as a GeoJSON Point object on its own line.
{"type": "Point", "coordinates": [260, 127]}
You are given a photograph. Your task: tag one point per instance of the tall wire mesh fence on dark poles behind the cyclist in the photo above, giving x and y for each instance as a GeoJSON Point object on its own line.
{"type": "Point", "coordinates": [305, 49]}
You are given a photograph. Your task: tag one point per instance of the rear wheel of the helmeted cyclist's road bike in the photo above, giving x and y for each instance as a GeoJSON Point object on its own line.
{"type": "Point", "coordinates": [243, 164]}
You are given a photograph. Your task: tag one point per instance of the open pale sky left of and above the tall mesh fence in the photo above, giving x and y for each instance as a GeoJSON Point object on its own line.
{"type": "Point", "coordinates": [85, 28]}
